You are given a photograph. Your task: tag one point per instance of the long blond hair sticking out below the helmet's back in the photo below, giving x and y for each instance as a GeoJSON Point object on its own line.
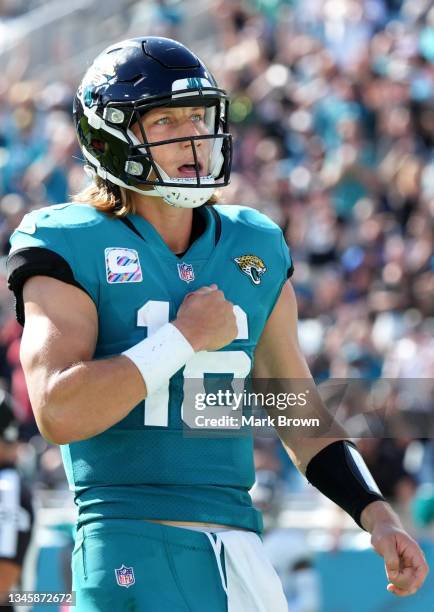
{"type": "Point", "coordinates": [112, 200]}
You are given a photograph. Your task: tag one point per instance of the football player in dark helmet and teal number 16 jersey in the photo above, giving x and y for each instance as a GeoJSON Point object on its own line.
{"type": "Point", "coordinates": [125, 295]}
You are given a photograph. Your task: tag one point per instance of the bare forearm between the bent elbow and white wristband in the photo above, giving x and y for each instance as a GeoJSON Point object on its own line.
{"type": "Point", "coordinates": [89, 397]}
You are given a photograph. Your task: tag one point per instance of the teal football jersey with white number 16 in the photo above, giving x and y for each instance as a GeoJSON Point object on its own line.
{"type": "Point", "coordinates": [145, 466]}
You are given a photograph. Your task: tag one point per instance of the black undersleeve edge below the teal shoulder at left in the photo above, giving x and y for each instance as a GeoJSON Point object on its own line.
{"type": "Point", "coordinates": [34, 261]}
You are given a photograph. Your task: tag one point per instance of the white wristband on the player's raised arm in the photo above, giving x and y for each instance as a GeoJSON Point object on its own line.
{"type": "Point", "coordinates": [159, 356]}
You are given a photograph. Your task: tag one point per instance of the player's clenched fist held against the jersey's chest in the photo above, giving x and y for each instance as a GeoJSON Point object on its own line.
{"type": "Point", "coordinates": [207, 319]}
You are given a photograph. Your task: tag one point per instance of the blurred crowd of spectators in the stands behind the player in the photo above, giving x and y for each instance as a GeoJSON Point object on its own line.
{"type": "Point", "coordinates": [333, 121]}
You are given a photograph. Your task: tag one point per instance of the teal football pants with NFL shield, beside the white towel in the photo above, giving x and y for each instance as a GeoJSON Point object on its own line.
{"type": "Point", "coordinates": [160, 569]}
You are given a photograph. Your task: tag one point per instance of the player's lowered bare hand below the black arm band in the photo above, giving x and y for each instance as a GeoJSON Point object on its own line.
{"type": "Point", "coordinates": [405, 564]}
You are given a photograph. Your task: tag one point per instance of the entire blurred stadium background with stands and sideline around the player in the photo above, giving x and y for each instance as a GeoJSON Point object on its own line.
{"type": "Point", "coordinates": [333, 121]}
